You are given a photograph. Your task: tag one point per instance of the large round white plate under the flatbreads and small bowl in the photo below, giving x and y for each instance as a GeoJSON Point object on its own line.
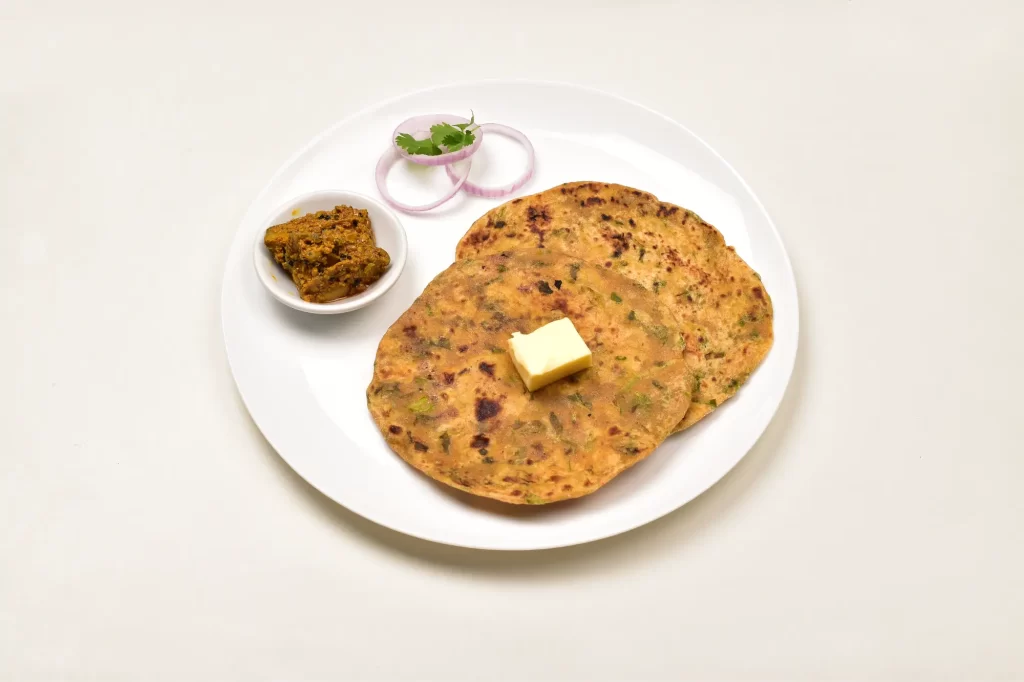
{"type": "Point", "coordinates": [304, 377]}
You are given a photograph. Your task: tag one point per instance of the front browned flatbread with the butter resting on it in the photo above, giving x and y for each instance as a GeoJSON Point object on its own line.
{"type": "Point", "coordinates": [450, 402]}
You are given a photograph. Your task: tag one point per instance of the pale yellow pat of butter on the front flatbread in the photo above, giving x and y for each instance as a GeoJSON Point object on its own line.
{"type": "Point", "coordinates": [549, 354]}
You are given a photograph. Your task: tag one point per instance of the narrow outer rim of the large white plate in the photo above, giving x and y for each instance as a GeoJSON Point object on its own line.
{"type": "Point", "coordinates": [790, 361]}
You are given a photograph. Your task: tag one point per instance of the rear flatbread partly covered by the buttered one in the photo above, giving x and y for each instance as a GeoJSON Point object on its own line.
{"type": "Point", "coordinates": [724, 313]}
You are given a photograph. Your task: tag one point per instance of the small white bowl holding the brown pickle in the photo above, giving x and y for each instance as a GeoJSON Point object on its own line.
{"type": "Point", "coordinates": [389, 232]}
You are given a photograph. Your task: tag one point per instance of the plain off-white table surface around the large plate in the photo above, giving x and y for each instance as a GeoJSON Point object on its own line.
{"type": "Point", "coordinates": [148, 531]}
